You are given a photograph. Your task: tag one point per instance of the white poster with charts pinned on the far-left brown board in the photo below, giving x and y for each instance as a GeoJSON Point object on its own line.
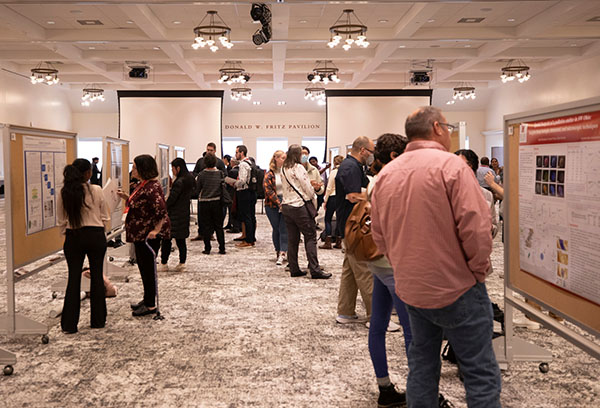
{"type": "Point", "coordinates": [44, 161]}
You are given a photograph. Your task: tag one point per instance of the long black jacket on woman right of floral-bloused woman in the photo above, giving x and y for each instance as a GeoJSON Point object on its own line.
{"type": "Point", "coordinates": [178, 206]}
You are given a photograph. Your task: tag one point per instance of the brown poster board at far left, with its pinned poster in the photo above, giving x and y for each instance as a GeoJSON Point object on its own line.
{"type": "Point", "coordinates": [52, 150]}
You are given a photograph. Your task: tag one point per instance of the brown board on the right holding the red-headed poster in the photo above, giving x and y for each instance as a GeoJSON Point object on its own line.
{"type": "Point", "coordinates": [552, 173]}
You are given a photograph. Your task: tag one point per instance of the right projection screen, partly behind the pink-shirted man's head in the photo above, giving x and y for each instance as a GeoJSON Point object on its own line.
{"type": "Point", "coordinates": [370, 113]}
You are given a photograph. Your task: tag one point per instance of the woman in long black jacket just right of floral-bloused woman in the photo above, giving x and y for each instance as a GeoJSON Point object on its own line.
{"type": "Point", "coordinates": [178, 207]}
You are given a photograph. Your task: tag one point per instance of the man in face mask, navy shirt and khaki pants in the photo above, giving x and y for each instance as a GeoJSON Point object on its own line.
{"type": "Point", "coordinates": [350, 182]}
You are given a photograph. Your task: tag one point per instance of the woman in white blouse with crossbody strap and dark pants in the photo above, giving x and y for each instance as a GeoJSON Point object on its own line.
{"type": "Point", "coordinates": [297, 191]}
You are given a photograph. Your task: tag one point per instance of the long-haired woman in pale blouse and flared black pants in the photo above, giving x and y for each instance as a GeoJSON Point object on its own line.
{"type": "Point", "coordinates": [82, 217]}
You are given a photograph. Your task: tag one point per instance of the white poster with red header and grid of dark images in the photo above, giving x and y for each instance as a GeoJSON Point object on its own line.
{"type": "Point", "coordinates": [559, 202]}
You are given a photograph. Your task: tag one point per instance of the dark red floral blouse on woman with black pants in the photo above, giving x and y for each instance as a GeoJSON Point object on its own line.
{"type": "Point", "coordinates": [146, 208]}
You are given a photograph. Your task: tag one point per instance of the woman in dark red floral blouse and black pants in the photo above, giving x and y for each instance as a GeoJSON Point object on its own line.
{"type": "Point", "coordinates": [146, 220]}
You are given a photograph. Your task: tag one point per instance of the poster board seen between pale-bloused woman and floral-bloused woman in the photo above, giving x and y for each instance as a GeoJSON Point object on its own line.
{"type": "Point", "coordinates": [116, 153]}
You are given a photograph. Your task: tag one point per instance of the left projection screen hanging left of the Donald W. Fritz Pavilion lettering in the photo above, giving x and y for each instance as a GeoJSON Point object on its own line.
{"type": "Point", "coordinates": [190, 119]}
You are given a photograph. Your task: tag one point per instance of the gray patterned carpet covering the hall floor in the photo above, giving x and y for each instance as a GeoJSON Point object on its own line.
{"type": "Point", "coordinates": [238, 331]}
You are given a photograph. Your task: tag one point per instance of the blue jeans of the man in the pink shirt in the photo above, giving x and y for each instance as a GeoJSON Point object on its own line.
{"type": "Point", "coordinates": [468, 325]}
